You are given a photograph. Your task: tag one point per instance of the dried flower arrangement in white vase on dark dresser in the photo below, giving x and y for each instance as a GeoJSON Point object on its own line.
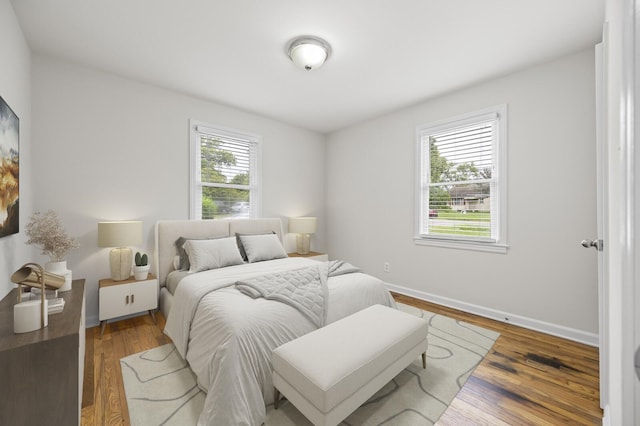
{"type": "Point", "coordinates": [46, 231]}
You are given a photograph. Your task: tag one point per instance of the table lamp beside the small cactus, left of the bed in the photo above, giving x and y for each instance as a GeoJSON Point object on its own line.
{"type": "Point", "coordinates": [120, 235]}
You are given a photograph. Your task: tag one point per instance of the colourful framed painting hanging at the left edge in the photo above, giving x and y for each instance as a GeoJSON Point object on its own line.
{"type": "Point", "coordinates": [9, 170]}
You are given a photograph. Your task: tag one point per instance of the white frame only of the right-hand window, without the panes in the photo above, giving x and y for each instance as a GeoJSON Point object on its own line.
{"type": "Point", "coordinates": [499, 174]}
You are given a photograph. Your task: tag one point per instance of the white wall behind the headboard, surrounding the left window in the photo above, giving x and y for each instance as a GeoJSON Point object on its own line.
{"type": "Point", "coordinates": [108, 148]}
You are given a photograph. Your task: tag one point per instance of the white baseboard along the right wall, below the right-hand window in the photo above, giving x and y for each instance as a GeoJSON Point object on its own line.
{"type": "Point", "coordinates": [579, 336]}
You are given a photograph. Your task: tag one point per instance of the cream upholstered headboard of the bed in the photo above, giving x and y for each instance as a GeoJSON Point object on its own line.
{"type": "Point", "coordinates": [168, 231]}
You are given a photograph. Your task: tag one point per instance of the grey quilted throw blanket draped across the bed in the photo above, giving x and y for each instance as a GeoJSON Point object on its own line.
{"type": "Point", "coordinates": [304, 289]}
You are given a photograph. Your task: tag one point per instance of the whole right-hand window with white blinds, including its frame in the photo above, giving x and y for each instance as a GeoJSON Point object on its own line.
{"type": "Point", "coordinates": [461, 181]}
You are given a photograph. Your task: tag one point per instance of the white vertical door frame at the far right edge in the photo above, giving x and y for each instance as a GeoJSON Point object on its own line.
{"type": "Point", "coordinates": [622, 92]}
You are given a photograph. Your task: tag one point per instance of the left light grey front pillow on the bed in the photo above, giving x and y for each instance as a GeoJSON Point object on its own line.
{"type": "Point", "coordinates": [212, 254]}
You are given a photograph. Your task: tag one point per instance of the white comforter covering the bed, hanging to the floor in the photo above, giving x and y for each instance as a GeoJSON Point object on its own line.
{"type": "Point", "coordinates": [228, 337]}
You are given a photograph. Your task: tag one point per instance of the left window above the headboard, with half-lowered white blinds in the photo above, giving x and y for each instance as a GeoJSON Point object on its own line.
{"type": "Point", "coordinates": [225, 180]}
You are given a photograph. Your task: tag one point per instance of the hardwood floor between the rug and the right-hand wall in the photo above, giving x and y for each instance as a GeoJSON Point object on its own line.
{"type": "Point", "coordinates": [527, 378]}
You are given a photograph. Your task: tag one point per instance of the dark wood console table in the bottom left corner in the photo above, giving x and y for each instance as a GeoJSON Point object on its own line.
{"type": "Point", "coordinates": [41, 372]}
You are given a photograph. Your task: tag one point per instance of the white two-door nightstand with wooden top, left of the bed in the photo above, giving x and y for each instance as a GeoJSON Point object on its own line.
{"type": "Point", "coordinates": [120, 298]}
